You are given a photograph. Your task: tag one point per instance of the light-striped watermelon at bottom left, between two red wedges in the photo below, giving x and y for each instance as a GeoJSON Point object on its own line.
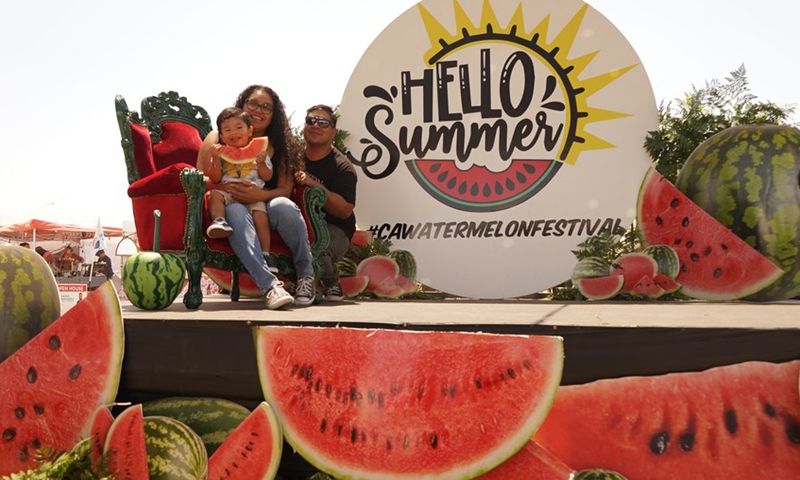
{"type": "Point", "coordinates": [173, 450]}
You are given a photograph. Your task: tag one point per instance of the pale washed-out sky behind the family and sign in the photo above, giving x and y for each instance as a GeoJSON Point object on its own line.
{"type": "Point", "coordinates": [63, 63]}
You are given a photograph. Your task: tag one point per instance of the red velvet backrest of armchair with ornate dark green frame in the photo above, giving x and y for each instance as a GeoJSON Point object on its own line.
{"type": "Point", "coordinates": [168, 131]}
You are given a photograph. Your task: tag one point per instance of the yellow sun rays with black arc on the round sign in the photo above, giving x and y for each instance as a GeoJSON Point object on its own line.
{"type": "Point", "coordinates": [554, 53]}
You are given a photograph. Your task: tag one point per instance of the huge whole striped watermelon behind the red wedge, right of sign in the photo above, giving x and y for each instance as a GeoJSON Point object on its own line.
{"type": "Point", "coordinates": [748, 178]}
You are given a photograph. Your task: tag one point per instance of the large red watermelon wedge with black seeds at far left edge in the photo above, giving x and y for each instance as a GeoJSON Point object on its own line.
{"type": "Point", "coordinates": [51, 387]}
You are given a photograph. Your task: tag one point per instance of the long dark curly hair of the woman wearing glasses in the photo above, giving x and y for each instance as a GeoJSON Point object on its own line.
{"type": "Point", "coordinates": [288, 151]}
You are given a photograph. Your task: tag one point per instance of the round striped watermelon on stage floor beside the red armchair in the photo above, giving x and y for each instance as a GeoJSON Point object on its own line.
{"type": "Point", "coordinates": [152, 280]}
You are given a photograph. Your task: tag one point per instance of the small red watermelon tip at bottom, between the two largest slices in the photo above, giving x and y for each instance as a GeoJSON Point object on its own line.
{"type": "Point", "coordinates": [533, 462]}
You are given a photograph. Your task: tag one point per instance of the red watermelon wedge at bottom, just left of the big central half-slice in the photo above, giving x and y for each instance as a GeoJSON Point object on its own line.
{"type": "Point", "coordinates": [252, 450]}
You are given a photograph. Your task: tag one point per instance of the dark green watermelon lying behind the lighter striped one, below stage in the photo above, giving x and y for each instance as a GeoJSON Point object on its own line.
{"type": "Point", "coordinates": [213, 419]}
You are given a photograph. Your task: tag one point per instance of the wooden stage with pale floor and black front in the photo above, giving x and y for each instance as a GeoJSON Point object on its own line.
{"type": "Point", "coordinates": [209, 351]}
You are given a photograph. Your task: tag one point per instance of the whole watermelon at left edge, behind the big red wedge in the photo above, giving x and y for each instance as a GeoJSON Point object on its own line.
{"type": "Point", "coordinates": [29, 298]}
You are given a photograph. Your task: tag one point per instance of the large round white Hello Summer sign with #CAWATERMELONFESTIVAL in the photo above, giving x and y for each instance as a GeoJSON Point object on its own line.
{"type": "Point", "coordinates": [492, 137]}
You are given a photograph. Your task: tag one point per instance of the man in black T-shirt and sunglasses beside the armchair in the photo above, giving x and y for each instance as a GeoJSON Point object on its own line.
{"type": "Point", "coordinates": [328, 168]}
